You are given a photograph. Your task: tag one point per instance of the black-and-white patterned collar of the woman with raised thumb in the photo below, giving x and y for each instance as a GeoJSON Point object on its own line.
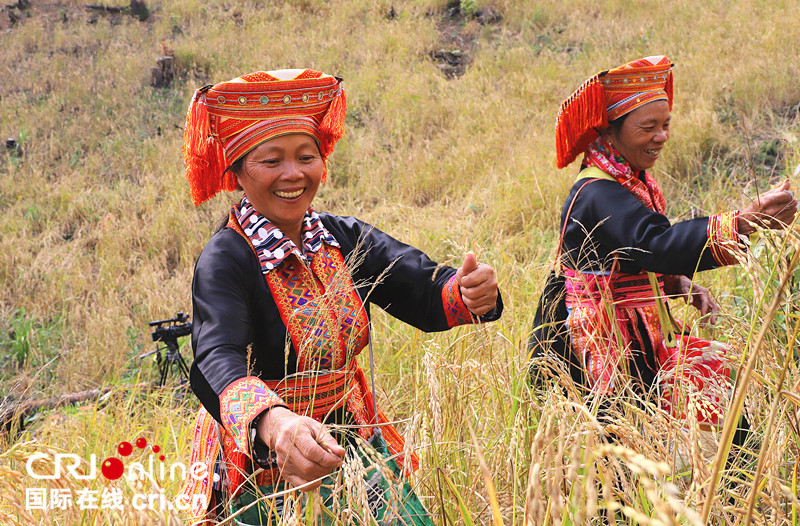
{"type": "Point", "coordinates": [273, 246]}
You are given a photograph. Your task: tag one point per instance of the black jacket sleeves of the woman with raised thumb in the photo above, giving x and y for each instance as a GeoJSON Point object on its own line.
{"type": "Point", "coordinates": [234, 310]}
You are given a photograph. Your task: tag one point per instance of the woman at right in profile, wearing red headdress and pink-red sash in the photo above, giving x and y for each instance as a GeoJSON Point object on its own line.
{"type": "Point", "coordinates": [619, 255]}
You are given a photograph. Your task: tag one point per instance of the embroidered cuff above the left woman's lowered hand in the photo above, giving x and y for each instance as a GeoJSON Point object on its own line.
{"type": "Point", "coordinates": [240, 403]}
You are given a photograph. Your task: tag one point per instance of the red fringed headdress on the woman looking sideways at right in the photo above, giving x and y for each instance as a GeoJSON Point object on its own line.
{"type": "Point", "coordinates": [608, 96]}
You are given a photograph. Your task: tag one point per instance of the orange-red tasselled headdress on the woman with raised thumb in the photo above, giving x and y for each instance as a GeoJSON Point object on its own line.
{"type": "Point", "coordinates": [227, 120]}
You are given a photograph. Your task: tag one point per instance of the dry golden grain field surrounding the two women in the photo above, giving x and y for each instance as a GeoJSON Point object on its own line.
{"type": "Point", "coordinates": [449, 147]}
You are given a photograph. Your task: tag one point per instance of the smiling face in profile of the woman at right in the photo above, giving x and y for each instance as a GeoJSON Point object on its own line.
{"type": "Point", "coordinates": [642, 135]}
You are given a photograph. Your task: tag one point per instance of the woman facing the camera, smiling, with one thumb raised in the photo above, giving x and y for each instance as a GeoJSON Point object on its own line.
{"type": "Point", "coordinates": [281, 297]}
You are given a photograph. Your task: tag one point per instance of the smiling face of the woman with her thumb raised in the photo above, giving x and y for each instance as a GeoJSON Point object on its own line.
{"type": "Point", "coordinates": [280, 178]}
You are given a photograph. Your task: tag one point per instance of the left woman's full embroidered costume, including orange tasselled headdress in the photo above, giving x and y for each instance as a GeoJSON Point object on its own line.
{"type": "Point", "coordinates": [279, 325]}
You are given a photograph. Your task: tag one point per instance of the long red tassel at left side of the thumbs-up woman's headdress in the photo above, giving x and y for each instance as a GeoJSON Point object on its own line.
{"type": "Point", "coordinates": [203, 154]}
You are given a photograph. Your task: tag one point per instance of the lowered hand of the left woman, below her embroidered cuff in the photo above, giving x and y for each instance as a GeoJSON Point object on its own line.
{"type": "Point", "coordinates": [305, 451]}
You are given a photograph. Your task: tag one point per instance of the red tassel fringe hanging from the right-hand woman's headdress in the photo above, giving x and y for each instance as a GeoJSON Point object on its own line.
{"type": "Point", "coordinates": [578, 120]}
